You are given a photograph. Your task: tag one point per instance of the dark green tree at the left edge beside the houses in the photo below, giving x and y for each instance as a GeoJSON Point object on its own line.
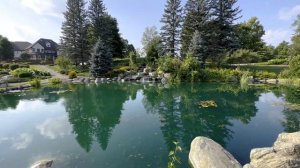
{"type": "Point", "coordinates": [6, 49]}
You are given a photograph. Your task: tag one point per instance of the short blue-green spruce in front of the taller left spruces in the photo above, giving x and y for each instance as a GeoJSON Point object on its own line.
{"type": "Point", "coordinates": [101, 61]}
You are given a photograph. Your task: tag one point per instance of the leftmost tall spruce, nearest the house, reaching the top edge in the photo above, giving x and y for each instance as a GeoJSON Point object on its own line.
{"type": "Point", "coordinates": [74, 32]}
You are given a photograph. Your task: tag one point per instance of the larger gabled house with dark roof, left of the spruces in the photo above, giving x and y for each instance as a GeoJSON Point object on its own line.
{"type": "Point", "coordinates": [43, 49]}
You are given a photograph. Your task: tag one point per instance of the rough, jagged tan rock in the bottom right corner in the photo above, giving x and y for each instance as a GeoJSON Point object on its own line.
{"type": "Point", "coordinates": [284, 153]}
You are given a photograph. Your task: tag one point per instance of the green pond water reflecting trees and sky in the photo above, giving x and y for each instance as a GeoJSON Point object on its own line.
{"type": "Point", "coordinates": [134, 125]}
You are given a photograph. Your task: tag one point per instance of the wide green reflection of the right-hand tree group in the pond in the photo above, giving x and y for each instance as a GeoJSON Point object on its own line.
{"type": "Point", "coordinates": [182, 119]}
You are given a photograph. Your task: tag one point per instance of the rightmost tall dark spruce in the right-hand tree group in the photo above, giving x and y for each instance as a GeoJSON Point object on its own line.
{"type": "Point", "coordinates": [222, 37]}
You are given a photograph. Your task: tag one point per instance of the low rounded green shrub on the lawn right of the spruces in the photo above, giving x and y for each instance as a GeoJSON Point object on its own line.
{"type": "Point", "coordinates": [243, 56]}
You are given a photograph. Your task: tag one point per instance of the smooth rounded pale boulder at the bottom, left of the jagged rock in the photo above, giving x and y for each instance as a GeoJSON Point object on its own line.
{"type": "Point", "coordinates": [205, 153]}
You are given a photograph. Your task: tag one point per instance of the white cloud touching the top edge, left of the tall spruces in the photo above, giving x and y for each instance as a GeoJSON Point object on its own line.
{"type": "Point", "coordinates": [44, 7]}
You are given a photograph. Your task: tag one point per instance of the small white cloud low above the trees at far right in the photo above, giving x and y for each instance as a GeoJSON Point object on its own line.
{"type": "Point", "coordinates": [275, 37]}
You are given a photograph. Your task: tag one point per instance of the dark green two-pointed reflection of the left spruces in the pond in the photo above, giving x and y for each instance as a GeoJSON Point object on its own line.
{"type": "Point", "coordinates": [94, 111]}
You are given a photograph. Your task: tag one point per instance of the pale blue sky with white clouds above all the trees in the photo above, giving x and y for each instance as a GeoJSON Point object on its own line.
{"type": "Point", "coordinates": [29, 20]}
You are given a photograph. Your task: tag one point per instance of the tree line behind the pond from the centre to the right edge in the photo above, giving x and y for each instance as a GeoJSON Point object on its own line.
{"type": "Point", "coordinates": [207, 30]}
